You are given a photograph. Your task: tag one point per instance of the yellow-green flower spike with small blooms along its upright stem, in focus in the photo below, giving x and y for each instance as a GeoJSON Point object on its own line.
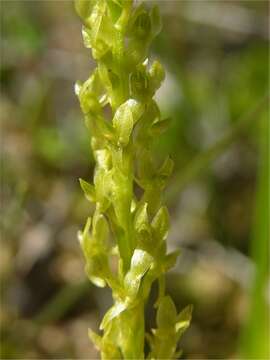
{"type": "Point", "coordinates": [126, 229]}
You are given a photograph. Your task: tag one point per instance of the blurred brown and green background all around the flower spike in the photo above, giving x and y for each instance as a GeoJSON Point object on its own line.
{"type": "Point", "coordinates": [217, 62]}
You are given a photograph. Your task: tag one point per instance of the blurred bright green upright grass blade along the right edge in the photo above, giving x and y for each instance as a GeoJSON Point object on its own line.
{"type": "Point", "coordinates": [257, 322]}
